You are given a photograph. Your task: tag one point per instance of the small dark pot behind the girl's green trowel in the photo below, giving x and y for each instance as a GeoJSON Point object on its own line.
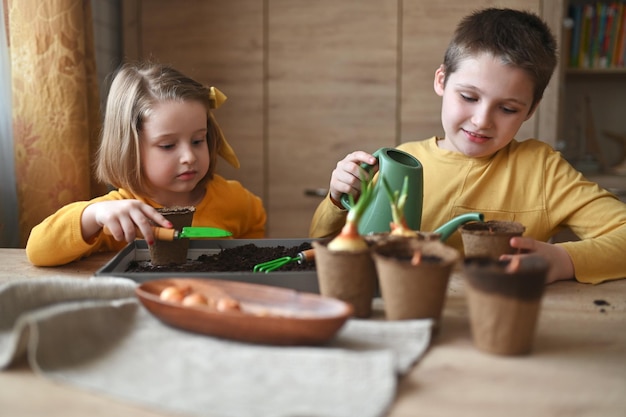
{"type": "Point", "coordinates": [172, 252]}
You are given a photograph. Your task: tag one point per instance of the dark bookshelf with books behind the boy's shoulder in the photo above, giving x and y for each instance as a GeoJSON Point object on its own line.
{"type": "Point", "coordinates": [593, 87]}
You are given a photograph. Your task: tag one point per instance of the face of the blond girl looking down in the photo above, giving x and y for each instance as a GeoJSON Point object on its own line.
{"type": "Point", "coordinates": [174, 152]}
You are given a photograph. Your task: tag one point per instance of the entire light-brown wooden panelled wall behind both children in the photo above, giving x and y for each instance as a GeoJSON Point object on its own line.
{"type": "Point", "coordinates": [307, 81]}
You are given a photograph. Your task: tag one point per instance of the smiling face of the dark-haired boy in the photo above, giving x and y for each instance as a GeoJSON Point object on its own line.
{"type": "Point", "coordinates": [484, 103]}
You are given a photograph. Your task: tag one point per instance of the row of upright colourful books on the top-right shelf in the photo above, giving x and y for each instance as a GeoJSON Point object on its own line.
{"type": "Point", "coordinates": [597, 32]}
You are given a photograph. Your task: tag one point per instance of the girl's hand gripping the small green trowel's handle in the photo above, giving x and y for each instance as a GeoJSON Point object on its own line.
{"type": "Point", "coordinates": [122, 218]}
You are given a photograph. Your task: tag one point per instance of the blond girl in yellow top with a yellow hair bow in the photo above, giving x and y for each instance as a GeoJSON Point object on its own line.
{"type": "Point", "coordinates": [159, 148]}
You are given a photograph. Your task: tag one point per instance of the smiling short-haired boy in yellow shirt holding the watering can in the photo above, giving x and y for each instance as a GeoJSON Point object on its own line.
{"type": "Point", "coordinates": [492, 79]}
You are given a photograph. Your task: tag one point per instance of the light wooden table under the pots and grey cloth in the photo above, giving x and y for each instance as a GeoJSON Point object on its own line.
{"type": "Point", "coordinates": [578, 366]}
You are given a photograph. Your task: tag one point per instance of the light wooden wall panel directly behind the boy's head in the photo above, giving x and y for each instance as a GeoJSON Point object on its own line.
{"type": "Point", "coordinates": [426, 30]}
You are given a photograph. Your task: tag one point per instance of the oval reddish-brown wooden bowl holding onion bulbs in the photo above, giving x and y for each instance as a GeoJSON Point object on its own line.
{"type": "Point", "coordinates": [267, 315]}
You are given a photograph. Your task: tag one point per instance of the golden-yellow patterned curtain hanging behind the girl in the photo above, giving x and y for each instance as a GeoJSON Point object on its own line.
{"type": "Point", "coordinates": [56, 117]}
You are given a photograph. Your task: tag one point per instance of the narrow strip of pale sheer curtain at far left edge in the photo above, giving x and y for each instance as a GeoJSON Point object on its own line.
{"type": "Point", "coordinates": [9, 234]}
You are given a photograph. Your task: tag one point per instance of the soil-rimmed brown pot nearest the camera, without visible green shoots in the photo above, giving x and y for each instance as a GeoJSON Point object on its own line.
{"type": "Point", "coordinates": [504, 299]}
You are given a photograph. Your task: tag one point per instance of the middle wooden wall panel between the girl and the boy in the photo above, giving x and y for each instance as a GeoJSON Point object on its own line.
{"type": "Point", "coordinates": [332, 74]}
